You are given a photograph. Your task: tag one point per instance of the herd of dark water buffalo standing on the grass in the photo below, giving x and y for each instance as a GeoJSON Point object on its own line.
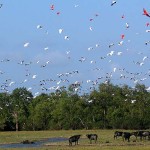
{"type": "Point", "coordinates": [143, 135]}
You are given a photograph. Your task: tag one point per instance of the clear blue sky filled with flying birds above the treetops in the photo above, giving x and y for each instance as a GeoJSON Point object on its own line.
{"type": "Point", "coordinates": [47, 44]}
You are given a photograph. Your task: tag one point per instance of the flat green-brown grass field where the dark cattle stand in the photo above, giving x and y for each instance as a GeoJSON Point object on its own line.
{"type": "Point", "coordinates": [105, 140]}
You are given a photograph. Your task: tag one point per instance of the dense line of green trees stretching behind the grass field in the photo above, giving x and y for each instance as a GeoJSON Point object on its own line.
{"type": "Point", "coordinates": [107, 107]}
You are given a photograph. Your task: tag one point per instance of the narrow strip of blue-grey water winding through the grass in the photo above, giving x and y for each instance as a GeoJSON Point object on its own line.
{"type": "Point", "coordinates": [35, 144]}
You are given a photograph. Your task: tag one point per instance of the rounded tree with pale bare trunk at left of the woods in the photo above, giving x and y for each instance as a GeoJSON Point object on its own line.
{"type": "Point", "coordinates": [20, 100]}
